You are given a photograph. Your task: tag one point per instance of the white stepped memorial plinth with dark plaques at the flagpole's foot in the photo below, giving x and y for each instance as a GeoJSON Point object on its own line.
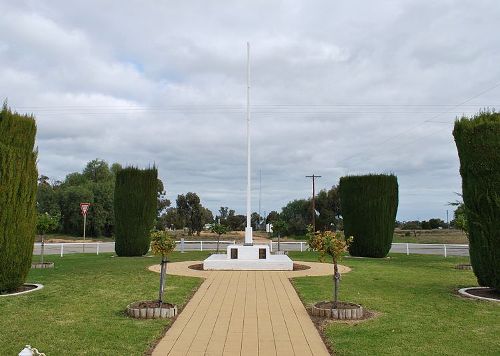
{"type": "Point", "coordinates": [248, 258]}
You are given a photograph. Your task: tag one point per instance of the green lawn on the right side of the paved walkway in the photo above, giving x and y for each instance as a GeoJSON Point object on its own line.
{"type": "Point", "coordinates": [420, 312]}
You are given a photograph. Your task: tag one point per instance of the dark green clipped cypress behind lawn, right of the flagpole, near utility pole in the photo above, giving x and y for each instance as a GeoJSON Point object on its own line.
{"type": "Point", "coordinates": [369, 204]}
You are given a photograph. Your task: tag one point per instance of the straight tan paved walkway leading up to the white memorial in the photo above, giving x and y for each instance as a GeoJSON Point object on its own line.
{"type": "Point", "coordinates": [243, 313]}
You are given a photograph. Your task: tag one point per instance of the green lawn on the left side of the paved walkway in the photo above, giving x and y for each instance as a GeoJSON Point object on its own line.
{"type": "Point", "coordinates": [81, 309]}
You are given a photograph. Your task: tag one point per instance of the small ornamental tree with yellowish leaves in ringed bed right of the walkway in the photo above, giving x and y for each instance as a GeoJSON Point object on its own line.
{"type": "Point", "coordinates": [330, 244]}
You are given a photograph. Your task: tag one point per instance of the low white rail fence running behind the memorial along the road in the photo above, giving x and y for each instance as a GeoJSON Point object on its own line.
{"type": "Point", "coordinates": [209, 245]}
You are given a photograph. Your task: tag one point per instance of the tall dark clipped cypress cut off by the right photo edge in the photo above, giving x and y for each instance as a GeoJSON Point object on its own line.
{"type": "Point", "coordinates": [478, 145]}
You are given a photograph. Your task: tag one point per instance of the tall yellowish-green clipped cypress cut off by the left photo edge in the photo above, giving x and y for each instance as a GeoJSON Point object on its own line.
{"type": "Point", "coordinates": [18, 185]}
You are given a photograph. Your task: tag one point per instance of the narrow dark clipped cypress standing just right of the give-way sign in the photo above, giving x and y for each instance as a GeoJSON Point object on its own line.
{"type": "Point", "coordinates": [135, 210]}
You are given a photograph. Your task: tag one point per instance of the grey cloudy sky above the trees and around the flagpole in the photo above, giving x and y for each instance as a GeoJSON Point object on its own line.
{"type": "Point", "coordinates": [338, 87]}
